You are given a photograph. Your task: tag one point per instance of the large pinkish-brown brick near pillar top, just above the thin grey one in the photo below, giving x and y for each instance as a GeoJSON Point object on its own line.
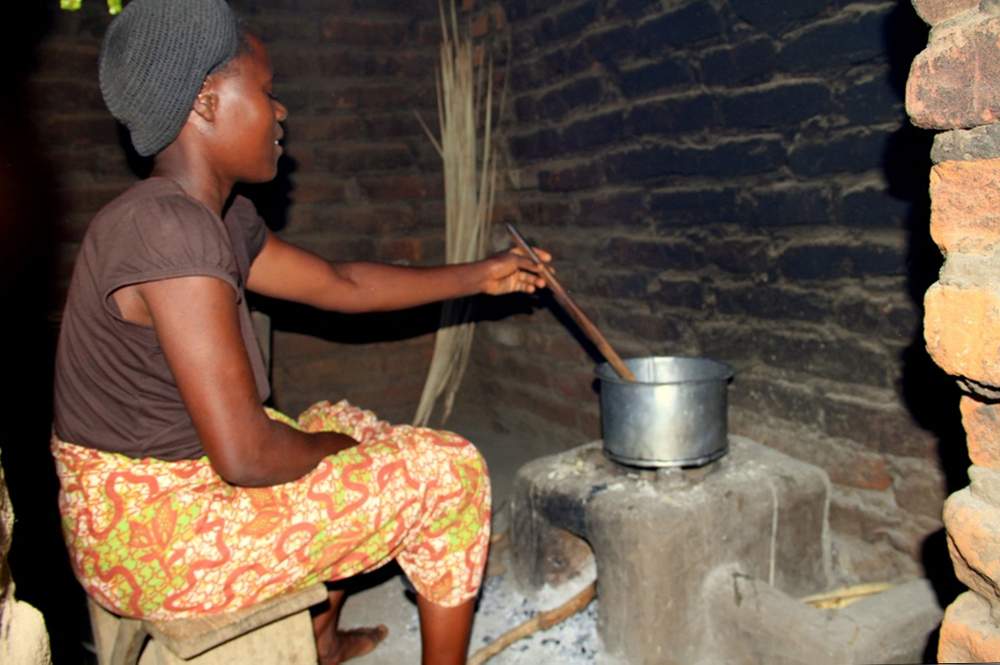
{"type": "Point", "coordinates": [953, 83]}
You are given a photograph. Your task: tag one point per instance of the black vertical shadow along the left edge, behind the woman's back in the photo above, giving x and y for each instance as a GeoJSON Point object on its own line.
{"type": "Point", "coordinates": [38, 559]}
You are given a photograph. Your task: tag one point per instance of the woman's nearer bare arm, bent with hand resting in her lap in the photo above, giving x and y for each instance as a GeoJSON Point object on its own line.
{"type": "Point", "coordinates": [197, 322]}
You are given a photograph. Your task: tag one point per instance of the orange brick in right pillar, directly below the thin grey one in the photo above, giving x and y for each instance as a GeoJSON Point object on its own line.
{"type": "Point", "coordinates": [965, 218]}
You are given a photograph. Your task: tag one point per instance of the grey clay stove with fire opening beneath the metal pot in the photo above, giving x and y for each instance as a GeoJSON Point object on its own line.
{"type": "Point", "coordinates": [693, 565]}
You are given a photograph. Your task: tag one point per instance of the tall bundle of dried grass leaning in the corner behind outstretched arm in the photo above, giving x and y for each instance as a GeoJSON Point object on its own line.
{"type": "Point", "coordinates": [465, 106]}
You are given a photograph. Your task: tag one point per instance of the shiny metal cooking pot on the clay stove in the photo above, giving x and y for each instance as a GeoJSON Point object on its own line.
{"type": "Point", "coordinates": [674, 414]}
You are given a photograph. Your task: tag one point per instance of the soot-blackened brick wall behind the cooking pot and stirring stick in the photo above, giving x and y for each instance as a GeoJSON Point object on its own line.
{"type": "Point", "coordinates": [738, 180]}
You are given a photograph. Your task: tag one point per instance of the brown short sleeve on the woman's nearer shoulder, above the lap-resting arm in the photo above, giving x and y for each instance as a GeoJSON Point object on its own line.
{"type": "Point", "coordinates": [166, 237]}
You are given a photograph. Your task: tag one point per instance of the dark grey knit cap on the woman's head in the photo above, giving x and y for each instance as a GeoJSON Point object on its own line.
{"type": "Point", "coordinates": [155, 57]}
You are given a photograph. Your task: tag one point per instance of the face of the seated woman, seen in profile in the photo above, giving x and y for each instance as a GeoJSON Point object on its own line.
{"type": "Point", "coordinates": [248, 117]}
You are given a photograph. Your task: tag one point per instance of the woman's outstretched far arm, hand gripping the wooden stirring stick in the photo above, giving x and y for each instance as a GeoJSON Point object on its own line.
{"type": "Point", "coordinates": [285, 271]}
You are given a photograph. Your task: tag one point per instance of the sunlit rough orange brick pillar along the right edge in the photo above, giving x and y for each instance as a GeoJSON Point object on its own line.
{"type": "Point", "coordinates": [954, 85]}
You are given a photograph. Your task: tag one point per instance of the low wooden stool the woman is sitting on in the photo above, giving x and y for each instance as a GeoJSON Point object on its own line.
{"type": "Point", "coordinates": [275, 632]}
